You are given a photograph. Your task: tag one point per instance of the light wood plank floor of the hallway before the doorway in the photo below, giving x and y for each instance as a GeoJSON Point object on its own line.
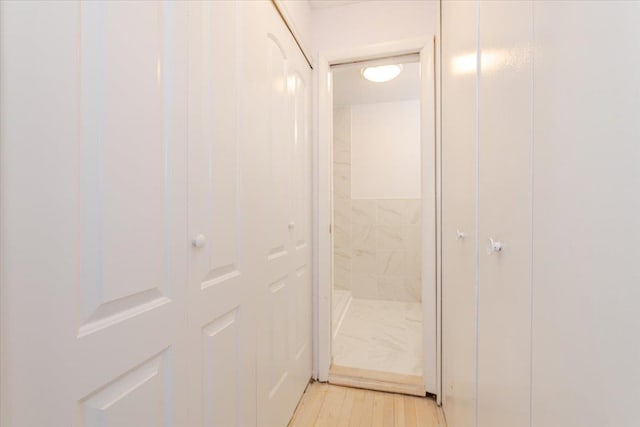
{"type": "Point", "coordinates": [336, 406]}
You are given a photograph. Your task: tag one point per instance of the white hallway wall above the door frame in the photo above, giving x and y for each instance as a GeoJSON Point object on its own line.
{"type": "Point", "coordinates": [372, 22]}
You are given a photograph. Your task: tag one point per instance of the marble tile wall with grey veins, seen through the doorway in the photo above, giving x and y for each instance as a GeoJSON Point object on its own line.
{"type": "Point", "coordinates": [377, 242]}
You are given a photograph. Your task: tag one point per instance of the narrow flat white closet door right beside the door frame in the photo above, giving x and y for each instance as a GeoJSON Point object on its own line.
{"type": "Point", "coordinates": [459, 134]}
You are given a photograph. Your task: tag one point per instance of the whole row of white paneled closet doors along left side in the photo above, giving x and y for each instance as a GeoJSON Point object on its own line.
{"type": "Point", "coordinates": [156, 215]}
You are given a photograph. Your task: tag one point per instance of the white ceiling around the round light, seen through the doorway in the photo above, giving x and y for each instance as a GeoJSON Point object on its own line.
{"type": "Point", "coordinates": [349, 87]}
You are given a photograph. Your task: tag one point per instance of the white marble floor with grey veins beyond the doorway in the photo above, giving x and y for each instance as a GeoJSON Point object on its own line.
{"type": "Point", "coordinates": [381, 336]}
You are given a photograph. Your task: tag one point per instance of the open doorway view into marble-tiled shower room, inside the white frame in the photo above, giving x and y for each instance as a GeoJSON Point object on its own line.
{"type": "Point", "coordinates": [377, 225]}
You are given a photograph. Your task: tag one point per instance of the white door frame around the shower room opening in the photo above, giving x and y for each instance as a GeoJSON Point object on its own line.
{"type": "Point", "coordinates": [431, 283]}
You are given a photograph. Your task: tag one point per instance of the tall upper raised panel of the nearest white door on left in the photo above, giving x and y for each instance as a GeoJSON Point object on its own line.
{"type": "Point", "coordinates": [121, 88]}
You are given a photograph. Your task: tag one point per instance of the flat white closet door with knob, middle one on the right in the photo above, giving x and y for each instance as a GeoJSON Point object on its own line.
{"type": "Point", "coordinates": [504, 294]}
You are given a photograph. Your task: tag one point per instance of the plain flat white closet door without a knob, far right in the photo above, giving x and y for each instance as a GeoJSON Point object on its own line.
{"type": "Point", "coordinates": [586, 369]}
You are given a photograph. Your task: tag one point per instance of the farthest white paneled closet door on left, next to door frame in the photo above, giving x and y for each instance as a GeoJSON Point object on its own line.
{"type": "Point", "coordinates": [278, 112]}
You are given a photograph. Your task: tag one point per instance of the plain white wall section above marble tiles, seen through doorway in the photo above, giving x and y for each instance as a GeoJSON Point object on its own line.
{"type": "Point", "coordinates": [385, 150]}
